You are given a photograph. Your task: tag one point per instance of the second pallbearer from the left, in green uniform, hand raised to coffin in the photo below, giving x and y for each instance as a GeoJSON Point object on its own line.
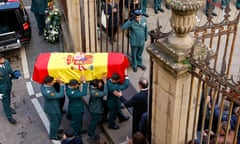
{"type": "Point", "coordinates": [76, 105]}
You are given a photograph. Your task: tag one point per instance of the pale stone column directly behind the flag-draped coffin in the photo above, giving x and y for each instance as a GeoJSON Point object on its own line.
{"type": "Point", "coordinates": [82, 24]}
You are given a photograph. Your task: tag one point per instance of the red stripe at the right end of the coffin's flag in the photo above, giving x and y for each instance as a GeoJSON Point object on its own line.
{"type": "Point", "coordinates": [117, 63]}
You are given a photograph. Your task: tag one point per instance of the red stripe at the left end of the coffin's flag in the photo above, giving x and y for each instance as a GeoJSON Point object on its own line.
{"type": "Point", "coordinates": [41, 67]}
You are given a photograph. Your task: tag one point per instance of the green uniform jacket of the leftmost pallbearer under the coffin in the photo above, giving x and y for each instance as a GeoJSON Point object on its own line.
{"type": "Point", "coordinates": [51, 97]}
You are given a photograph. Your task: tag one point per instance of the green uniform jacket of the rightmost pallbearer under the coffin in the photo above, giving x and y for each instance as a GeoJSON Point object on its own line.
{"type": "Point", "coordinates": [114, 101]}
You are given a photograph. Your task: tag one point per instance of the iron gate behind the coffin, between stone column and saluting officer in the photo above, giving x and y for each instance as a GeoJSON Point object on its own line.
{"type": "Point", "coordinates": [120, 43]}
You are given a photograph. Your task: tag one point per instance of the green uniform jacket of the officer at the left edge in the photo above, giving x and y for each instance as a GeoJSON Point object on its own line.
{"type": "Point", "coordinates": [5, 78]}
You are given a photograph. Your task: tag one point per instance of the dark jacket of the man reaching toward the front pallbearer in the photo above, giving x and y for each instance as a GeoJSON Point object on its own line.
{"type": "Point", "coordinates": [139, 102]}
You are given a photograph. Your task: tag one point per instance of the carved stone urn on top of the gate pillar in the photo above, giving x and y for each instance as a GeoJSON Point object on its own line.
{"type": "Point", "coordinates": [182, 21]}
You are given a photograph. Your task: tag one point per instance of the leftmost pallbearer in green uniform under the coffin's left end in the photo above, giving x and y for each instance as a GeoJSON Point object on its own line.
{"type": "Point", "coordinates": [52, 106]}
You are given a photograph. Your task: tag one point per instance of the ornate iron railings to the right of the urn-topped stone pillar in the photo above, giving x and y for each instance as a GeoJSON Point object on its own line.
{"type": "Point", "coordinates": [217, 98]}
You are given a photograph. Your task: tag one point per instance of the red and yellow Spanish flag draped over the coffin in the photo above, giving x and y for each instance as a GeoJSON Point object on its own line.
{"type": "Point", "coordinates": [67, 66]}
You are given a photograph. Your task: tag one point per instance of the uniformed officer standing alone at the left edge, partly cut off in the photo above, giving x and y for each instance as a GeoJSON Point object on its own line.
{"type": "Point", "coordinates": [6, 76]}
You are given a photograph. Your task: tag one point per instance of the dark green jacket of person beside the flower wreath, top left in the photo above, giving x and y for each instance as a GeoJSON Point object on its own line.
{"type": "Point", "coordinates": [39, 6]}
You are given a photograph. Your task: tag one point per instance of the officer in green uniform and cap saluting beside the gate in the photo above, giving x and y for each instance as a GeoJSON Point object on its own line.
{"type": "Point", "coordinates": [138, 35]}
